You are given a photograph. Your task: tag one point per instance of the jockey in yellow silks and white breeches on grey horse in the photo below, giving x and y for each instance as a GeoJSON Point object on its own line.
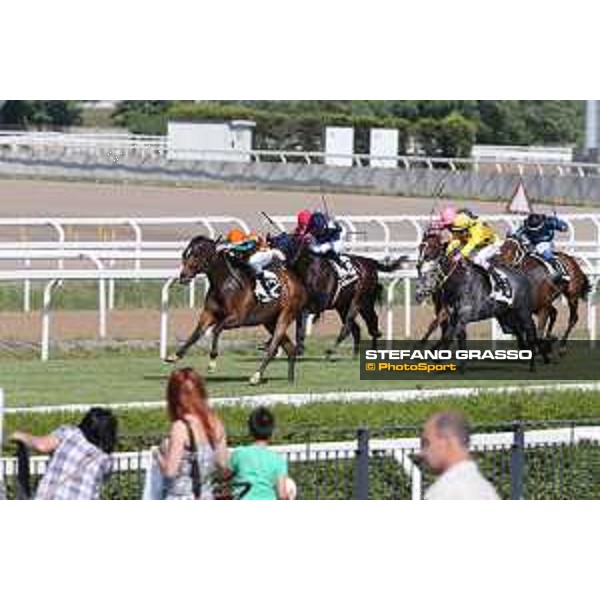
{"type": "Point", "coordinates": [477, 241]}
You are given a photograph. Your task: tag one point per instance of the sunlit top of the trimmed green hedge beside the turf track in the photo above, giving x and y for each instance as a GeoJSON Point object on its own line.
{"type": "Point", "coordinates": [334, 420]}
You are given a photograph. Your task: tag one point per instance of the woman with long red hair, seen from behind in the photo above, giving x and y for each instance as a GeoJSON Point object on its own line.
{"type": "Point", "coordinates": [197, 445]}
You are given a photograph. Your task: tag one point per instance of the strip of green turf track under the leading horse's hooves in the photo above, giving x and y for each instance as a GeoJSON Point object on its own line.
{"type": "Point", "coordinates": [126, 375]}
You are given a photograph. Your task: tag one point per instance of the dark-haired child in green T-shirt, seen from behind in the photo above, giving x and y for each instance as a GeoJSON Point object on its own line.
{"type": "Point", "coordinates": [257, 466]}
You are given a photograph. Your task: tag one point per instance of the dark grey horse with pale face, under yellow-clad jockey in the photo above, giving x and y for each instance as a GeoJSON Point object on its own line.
{"type": "Point", "coordinates": [465, 289]}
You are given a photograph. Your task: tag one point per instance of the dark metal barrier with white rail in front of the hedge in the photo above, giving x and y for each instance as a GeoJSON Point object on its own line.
{"type": "Point", "coordinates": [556, 460]}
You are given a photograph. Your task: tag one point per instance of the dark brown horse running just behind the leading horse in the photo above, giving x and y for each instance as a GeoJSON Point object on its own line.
{"type": "Point", "coordinates": [326, 292]}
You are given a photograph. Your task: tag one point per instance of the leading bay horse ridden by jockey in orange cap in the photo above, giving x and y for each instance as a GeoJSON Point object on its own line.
{"type": "Point", "coordinates": [231, 303]}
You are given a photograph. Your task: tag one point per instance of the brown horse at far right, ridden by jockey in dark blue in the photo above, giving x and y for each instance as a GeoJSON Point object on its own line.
{"type": "Point", "coordinates": [514, 252]}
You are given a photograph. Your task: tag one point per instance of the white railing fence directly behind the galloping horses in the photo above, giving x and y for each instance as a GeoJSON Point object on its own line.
{"type": "Point", "coordinates": [140, 258]}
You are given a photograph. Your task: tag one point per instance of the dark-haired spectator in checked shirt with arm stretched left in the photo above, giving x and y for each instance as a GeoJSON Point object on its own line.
{"type": "Point", "coordinates": [80, 459]}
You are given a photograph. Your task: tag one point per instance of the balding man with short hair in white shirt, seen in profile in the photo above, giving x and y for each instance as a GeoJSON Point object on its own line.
{"type": "Point", "coordinates": [445, 448]}
